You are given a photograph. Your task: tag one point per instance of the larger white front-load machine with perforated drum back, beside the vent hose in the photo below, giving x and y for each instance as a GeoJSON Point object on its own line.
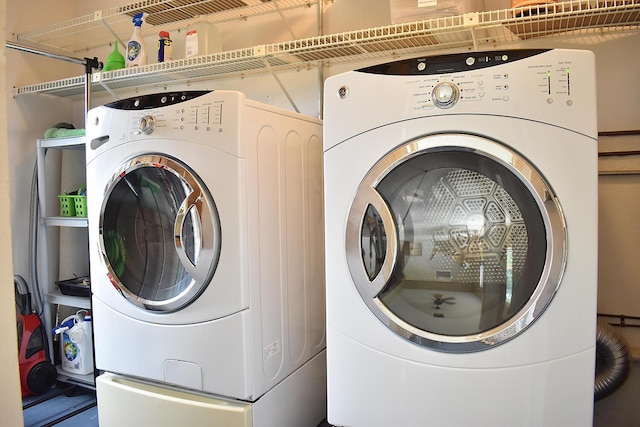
{"type": "Point", "coordinates": [461, 240]}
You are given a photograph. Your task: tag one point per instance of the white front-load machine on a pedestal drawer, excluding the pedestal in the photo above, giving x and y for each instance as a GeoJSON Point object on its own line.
{"type": "Point", "coordinates": [205, 219]}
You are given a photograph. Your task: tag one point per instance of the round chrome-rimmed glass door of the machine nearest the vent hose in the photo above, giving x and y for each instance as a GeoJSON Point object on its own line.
{"type": "Point", "coordinates": [455, 242]}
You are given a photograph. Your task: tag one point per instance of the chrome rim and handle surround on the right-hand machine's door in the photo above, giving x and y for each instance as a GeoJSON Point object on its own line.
{"type": "Point", "coordinates": [548, 205]}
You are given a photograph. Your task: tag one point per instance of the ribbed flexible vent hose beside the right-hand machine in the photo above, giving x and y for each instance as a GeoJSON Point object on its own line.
{"type": "Point", "coordinates": [613, 361]}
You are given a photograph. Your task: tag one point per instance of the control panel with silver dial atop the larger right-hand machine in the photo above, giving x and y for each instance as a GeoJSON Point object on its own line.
{"type": "Point", "coordinates": [555, 86]}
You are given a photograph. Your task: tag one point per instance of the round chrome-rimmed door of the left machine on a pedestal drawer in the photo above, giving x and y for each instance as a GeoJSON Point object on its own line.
{"type": "Point", "coordinates": [159, 233]}
